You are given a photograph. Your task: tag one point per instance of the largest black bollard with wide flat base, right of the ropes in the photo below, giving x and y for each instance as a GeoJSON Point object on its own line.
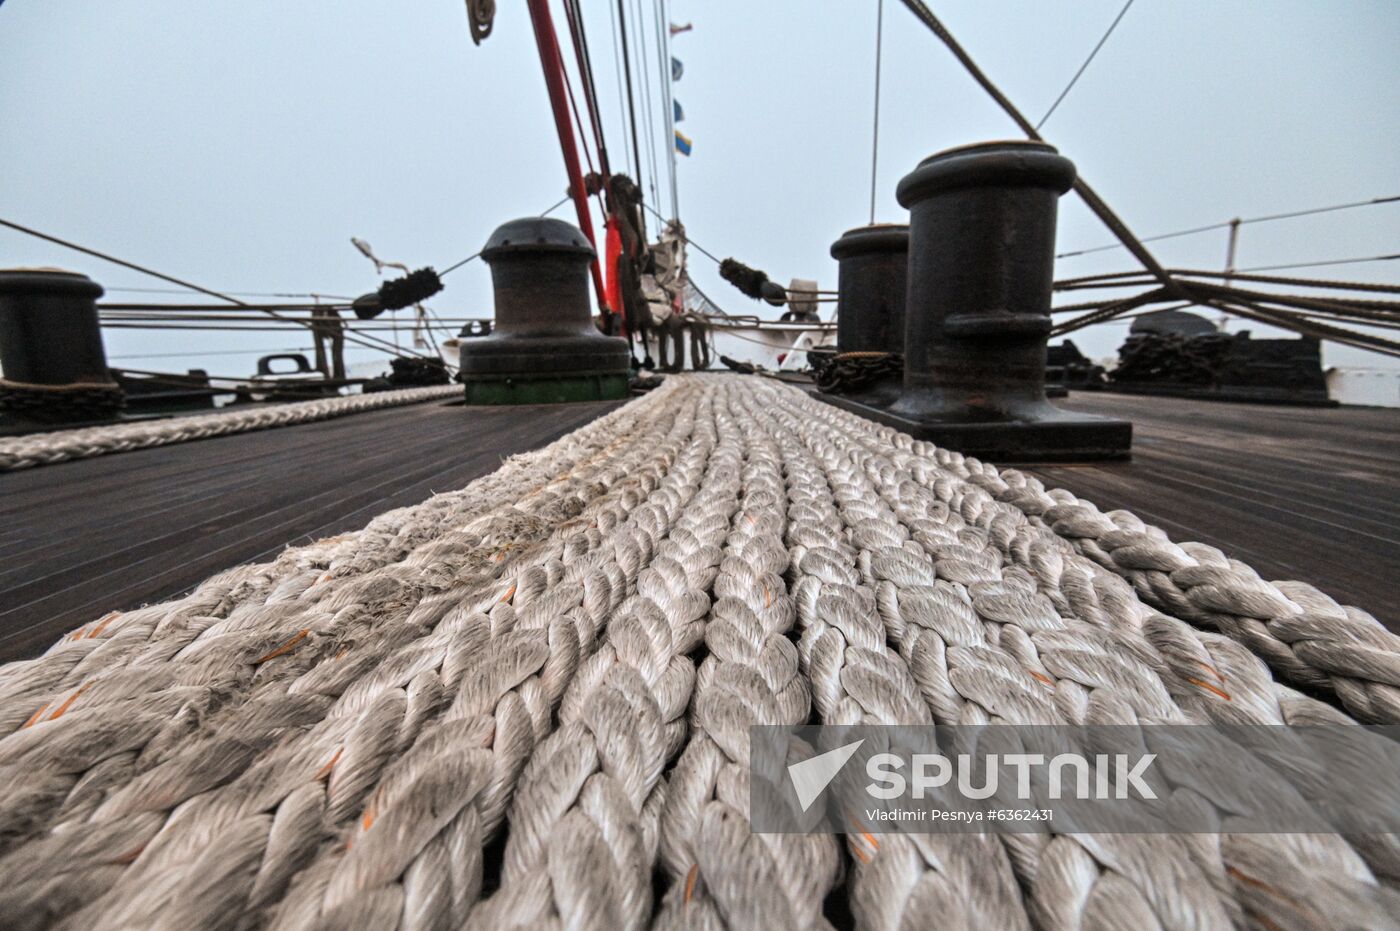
{"type": "Point", "coordinates": [981, 272]}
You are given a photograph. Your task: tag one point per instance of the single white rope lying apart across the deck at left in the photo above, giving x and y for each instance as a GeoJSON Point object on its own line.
{"type": "Point", "coordinates": [59, 446]}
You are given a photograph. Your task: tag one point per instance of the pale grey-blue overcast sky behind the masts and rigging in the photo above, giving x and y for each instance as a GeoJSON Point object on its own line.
{"type": "Point", "coordinates": [241, 145]}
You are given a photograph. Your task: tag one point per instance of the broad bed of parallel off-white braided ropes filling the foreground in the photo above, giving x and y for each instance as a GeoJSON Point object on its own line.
{"type": "Point", "coordinates": [527, 703]}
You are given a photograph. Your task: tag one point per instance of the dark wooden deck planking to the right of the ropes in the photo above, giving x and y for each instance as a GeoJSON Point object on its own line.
{"type": "Point", "coordinates": [1298, 493]}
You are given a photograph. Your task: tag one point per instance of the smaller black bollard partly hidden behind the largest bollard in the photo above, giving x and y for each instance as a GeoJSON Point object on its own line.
{"type": "Point", "coordinates": [870, 317]}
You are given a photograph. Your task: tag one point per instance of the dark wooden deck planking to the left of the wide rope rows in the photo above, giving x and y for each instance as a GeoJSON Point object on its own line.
{"type": "Point", "coordinates": [117, 533]}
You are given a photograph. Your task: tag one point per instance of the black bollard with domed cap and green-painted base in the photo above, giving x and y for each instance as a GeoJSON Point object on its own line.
{"type": "Point", "coordinates": [544, 348]}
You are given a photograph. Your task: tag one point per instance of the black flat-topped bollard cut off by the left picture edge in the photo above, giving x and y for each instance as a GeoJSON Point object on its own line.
{"type": "Point", "coordinates": [51, 351]}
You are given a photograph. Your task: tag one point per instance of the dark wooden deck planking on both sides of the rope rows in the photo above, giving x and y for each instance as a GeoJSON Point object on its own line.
{"type": "Point", "coordinates": [1297, 493]}
